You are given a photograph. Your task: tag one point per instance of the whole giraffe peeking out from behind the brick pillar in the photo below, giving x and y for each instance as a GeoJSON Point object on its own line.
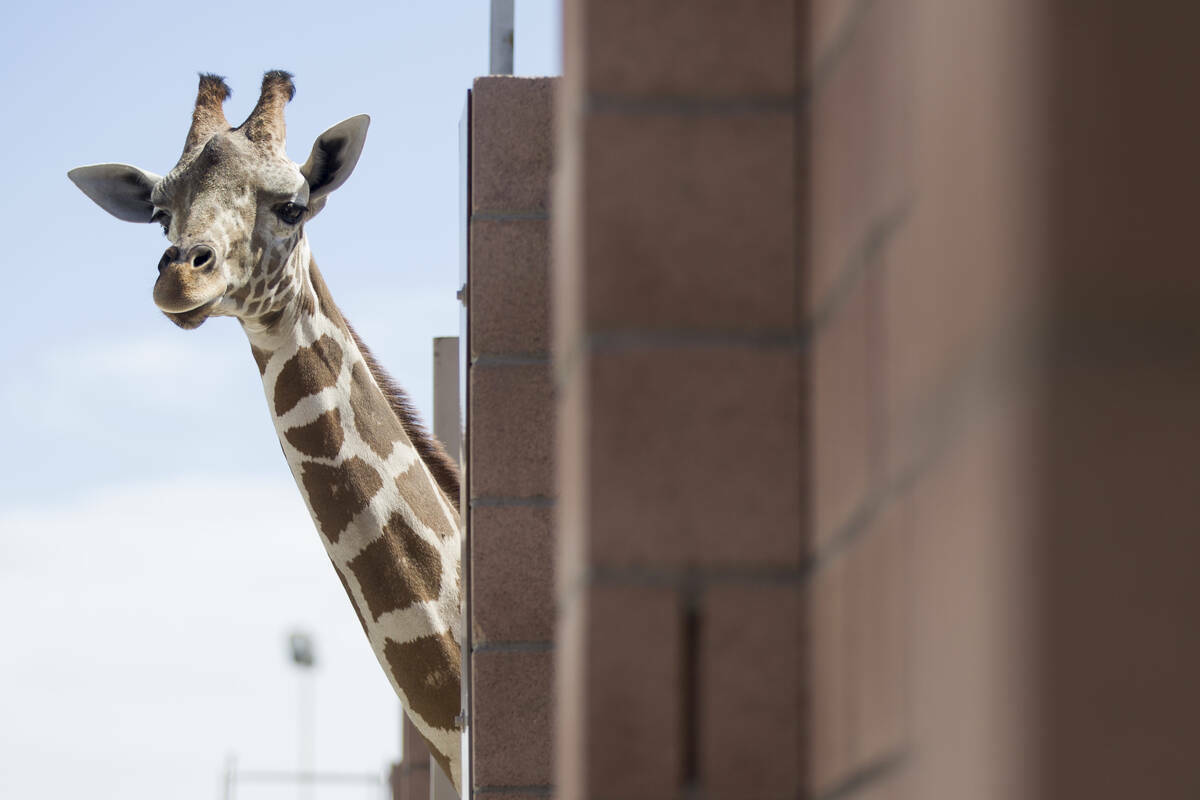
{"type": "Point", "coordinates": [381, 490]}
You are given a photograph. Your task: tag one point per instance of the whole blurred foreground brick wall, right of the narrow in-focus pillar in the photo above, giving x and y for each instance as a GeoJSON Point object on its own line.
{"type": "Point", "coordinates": [877, 345]}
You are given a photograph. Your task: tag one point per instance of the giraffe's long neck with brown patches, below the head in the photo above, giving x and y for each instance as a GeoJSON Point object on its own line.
{"type": "Point", "coordinates": [388, 528]}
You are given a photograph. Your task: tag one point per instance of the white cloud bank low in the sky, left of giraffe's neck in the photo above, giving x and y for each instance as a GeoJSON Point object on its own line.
{"type": "Point", "coordinates": [145, 640]}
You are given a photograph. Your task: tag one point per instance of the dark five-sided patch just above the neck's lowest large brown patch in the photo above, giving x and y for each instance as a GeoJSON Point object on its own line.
{"type": "Point", "coordinates": [398, 570]}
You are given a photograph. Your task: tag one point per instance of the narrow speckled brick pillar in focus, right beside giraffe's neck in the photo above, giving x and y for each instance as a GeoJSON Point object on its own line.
{"type": "Point", "coordinates": [511, 435]}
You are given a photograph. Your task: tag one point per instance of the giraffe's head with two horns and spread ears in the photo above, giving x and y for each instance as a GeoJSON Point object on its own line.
{"type": "Point", "coordinates": [233, 208]}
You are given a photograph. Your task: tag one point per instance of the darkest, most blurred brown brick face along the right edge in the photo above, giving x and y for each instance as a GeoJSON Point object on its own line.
{"type": "Point", "coordinates": [1119, 508]}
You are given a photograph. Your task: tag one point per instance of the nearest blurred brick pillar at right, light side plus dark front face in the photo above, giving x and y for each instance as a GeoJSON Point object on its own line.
{"type": "Point", "coordinates": [1003, 303]}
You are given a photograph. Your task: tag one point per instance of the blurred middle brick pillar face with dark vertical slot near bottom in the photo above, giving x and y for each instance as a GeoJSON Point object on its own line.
{"type": "Point", "coordinates": [680, 350]}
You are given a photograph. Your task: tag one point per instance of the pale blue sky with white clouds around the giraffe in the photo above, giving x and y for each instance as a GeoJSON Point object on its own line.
{"type": "Point", "coordinates": [154, 550]}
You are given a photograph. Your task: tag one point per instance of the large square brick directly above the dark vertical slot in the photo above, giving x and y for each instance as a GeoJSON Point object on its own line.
{"type": "Point", "coordinates": [670, 436]}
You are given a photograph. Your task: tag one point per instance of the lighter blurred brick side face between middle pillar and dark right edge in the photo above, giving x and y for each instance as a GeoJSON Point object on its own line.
{"type": "Point", "coordinates": [919, 267]}
